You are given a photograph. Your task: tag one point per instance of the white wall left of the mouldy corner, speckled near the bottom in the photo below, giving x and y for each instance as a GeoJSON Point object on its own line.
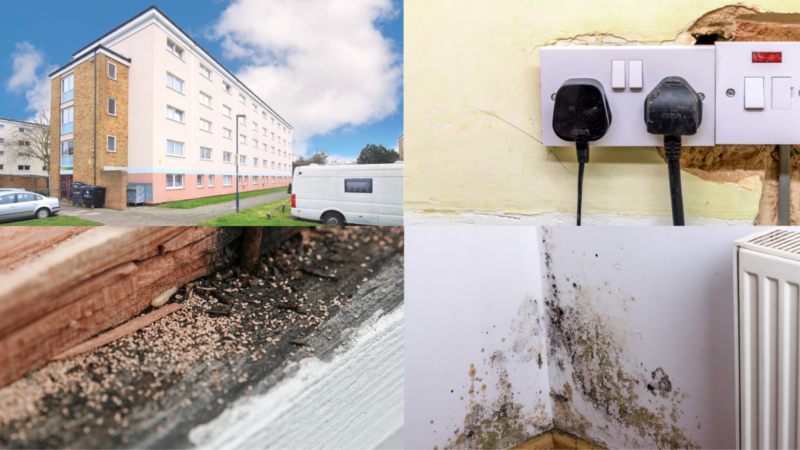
{"type": "Point", "coordinates": [473, 293]}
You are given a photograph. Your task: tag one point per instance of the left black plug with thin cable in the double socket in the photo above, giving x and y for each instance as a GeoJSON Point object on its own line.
{"type": "Point", "coordinates": [581, 115]}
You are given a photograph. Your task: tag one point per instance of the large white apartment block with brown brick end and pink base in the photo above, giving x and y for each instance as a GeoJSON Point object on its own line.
{"type": "Point", "coordinates": [146, 105]}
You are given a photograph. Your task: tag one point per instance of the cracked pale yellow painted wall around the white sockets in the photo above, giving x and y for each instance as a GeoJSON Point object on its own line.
{"type": "Point", "coordinates": [468, 62]}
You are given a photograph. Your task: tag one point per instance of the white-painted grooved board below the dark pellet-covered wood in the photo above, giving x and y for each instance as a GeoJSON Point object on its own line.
{"type": "Point", "coordinates": [352, 400]}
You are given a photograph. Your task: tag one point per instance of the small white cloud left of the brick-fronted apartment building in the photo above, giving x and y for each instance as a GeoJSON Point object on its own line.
{"type": "Point", "coordinates": [27, 77]}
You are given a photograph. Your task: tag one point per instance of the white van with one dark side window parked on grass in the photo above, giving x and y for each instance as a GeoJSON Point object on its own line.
{"type": "Point", "coordinates": [368, 194]}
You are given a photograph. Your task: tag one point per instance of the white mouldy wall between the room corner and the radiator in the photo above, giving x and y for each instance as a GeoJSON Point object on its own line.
{"type": "Point", "coordinates": [644, 299]}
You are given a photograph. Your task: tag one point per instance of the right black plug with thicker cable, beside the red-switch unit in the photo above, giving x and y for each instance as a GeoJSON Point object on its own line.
{"type": "Point", "coordinates": [673, 109]}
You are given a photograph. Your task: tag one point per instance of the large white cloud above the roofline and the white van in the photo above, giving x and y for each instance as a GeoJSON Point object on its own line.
{"type": "Point", "coordinates": [321, 64]}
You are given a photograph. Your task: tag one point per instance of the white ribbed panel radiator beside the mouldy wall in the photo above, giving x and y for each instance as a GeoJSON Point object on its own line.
{"type": "Point", "coordinates": [767, 272]}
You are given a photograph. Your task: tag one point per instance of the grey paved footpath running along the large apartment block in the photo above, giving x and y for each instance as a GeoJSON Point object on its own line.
{"type": "Point", "coordinates": [154, 216]}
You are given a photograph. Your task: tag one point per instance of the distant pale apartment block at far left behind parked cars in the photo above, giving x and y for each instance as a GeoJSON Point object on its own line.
{"type": "Point", "coordinates": [18, 149]}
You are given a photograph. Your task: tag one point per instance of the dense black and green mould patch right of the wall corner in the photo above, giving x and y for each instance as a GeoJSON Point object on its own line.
{"type": "Point", "coordinates": [587, 349]}
